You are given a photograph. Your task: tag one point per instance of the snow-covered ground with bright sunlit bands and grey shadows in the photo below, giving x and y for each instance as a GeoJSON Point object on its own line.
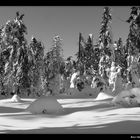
{"type": "Point", "coordinates": [81, 116]}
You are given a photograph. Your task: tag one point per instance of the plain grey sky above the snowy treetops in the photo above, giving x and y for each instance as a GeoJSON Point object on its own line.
{"type": "Point", "coordinates": [44, 22]}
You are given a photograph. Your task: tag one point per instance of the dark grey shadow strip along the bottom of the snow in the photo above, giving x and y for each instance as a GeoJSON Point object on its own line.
{"type": "Point", "coordinates": [123, 127]}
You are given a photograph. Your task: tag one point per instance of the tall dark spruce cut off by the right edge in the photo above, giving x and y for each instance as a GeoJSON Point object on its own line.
{"type": "Point", "coordinates": [133, 47]}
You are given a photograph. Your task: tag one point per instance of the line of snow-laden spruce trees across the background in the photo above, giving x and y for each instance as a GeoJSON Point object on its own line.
{"type": "Point", "coordinates": [25, 67]}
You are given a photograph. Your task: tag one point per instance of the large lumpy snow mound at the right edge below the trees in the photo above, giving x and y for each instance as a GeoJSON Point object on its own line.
{"type": "Point", "coordinates": [128, 98]}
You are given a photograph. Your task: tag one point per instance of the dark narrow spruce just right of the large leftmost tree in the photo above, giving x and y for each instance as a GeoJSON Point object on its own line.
{"type": "Point", "coordinates": [36, 58]}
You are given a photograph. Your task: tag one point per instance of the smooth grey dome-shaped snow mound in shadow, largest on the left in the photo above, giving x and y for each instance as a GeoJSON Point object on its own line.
{"type": "Point", "coordinates": [45, 105]}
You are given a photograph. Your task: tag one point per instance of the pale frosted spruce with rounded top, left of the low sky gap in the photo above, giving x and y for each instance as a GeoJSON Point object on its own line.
{"type": "Point", "coordinates": [54, 62]}
